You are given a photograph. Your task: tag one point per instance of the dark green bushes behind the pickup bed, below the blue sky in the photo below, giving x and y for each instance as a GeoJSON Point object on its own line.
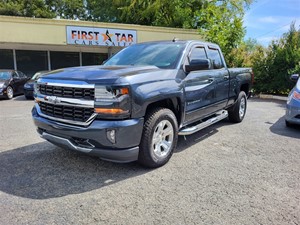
{"type": "Point", "coordinates": [274, 65]}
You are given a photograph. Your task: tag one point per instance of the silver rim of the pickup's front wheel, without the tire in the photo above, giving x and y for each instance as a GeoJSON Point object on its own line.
{"type": "Point", "coordinates": [163, 137]}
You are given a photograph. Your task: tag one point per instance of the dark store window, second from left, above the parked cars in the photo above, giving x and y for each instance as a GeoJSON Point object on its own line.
{"type": "Point", "coordinates": [30, 62]}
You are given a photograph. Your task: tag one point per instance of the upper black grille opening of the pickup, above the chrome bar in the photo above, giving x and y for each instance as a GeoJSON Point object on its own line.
{"type": "Point", "coordinates": [67, 92]}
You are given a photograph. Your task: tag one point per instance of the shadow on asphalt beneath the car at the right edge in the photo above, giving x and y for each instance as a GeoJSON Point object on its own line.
{"type": "Point", "coordinates": [280, 128]}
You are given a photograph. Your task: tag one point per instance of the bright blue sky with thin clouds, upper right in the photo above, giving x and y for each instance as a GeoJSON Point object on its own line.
{"type": "Point", "coordinates": [267, 20]}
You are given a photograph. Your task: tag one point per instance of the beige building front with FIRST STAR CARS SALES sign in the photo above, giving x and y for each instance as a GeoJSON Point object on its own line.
{"type": "Point", "coordinates": [31, 45]}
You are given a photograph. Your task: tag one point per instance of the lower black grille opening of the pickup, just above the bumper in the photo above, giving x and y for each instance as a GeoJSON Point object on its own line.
{"type": "Point", "coordinates": [66, 112]}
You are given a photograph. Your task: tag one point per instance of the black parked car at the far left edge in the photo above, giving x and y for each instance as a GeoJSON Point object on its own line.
{"type": "Point", "coordinates": [11, 83]}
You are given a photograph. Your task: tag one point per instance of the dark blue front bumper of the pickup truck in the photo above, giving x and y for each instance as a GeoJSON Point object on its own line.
{"type": "Point", "coordinates": [93, 139]}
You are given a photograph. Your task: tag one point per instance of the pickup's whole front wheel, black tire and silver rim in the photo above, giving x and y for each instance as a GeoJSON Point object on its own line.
{"type": "Point", "coordinates": [159, 138]}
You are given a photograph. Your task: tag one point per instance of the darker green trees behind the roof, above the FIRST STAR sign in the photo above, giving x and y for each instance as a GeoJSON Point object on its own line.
{"type": "Point", "coordinates": [176, 13]}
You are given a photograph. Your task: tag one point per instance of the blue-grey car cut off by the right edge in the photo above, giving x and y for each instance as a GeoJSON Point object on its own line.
{"type": "Point", "coordinates": [292, 115]}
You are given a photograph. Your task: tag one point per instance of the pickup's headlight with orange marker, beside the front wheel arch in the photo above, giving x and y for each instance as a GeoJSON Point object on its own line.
{"type": "Point", "coordinates": [112, 102]}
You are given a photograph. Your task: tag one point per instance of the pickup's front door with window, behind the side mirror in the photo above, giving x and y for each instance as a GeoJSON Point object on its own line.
{"type": "Point", "coordinates": [199, 87]}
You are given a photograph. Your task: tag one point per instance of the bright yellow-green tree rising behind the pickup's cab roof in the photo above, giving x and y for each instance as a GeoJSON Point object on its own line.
{"type": "Point", "coordinates": [221, 22]}
